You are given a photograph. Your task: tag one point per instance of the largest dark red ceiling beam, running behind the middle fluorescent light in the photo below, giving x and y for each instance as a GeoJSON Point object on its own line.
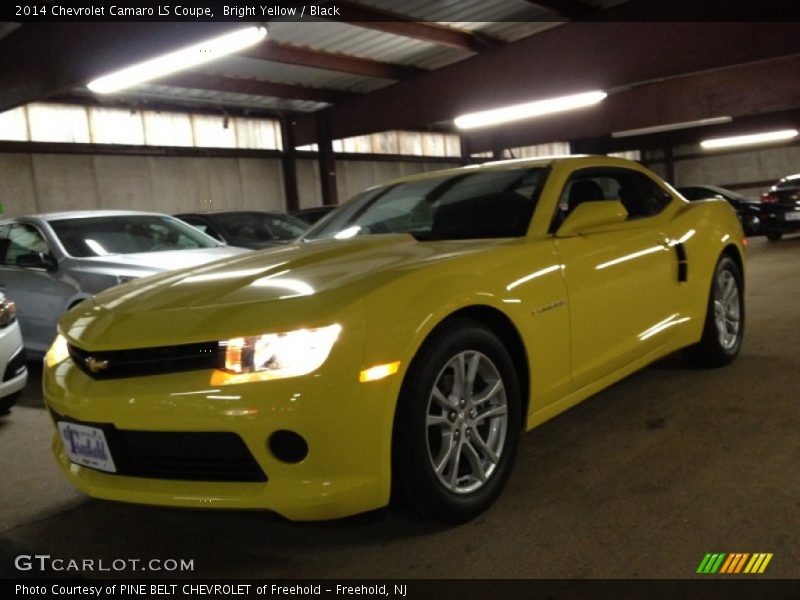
{"type": "Point", "coordinates": [576, 56]}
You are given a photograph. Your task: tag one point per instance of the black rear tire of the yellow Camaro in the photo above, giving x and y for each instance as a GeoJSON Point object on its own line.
{"type": "Point", "coordinates": [710, 351]}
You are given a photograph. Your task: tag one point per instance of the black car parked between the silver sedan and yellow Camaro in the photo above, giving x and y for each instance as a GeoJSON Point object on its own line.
{"type": "Point", "coordinates": [247, 229]}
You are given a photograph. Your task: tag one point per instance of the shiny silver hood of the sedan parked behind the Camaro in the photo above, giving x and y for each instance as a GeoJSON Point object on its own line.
{"type": "Point", "coordinates": [156, 262]}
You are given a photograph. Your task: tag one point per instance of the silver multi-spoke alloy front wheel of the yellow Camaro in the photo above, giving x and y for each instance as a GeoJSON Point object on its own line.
{"type": "Point", "coordinates": [466, 422]}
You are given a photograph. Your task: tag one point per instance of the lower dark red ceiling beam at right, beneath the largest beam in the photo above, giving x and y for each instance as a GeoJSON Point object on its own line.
{"type": "Point", "coordinates": [739, 92]}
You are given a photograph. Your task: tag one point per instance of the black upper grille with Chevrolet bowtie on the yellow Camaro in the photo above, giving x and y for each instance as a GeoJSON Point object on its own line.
{"type": "Point", "coordinates": [148, 361]}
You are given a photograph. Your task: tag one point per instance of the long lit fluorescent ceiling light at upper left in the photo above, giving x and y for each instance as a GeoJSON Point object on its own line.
{"type": "Point", "coordinates": [185, 58]}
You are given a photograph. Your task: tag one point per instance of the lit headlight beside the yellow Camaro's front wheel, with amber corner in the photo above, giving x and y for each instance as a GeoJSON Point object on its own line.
{"type": "Point", "coordinates": [278, 355]}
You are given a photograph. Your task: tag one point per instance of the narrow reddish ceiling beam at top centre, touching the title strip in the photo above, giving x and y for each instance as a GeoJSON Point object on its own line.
{"type": "Point", "coordinates": [388, 22]}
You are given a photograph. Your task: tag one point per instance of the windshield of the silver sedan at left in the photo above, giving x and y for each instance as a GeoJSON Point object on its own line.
{"type": "Point", "coordinates": [127, 234]}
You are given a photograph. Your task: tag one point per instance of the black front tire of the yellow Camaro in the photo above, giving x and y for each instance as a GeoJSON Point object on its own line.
{"type": "Point", "coordinates": [415, 481]}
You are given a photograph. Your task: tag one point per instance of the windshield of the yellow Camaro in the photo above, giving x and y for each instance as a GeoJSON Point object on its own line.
{"type": "Point", "coordinates": [493, 203]}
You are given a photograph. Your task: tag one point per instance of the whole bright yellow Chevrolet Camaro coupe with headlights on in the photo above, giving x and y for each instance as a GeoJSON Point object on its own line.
{"type": "Point", "coordinates": [399, 349]}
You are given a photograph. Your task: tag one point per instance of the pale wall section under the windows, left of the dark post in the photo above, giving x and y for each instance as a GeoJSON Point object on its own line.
{"type": "Point", "coordinates": [49, 182]}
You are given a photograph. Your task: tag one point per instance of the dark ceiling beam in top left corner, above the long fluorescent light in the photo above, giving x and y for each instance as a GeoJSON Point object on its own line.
{"type": "Point", "coordinates": [42, 59]}
